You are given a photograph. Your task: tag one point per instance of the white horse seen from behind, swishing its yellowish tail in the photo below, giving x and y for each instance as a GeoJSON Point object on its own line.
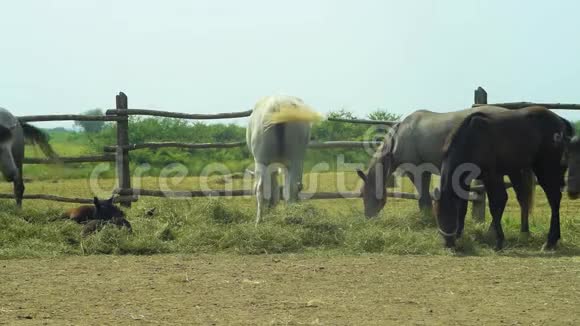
{"type": "Point", "coordinates": [277, 136]}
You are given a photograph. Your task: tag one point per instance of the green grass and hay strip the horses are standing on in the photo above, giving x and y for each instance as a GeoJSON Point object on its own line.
{"type": "Point", "coordinates": [211, 225]}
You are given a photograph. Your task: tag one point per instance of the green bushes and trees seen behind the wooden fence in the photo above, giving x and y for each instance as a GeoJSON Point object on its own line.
{"type": "Point", "coordinates": [155, 129]}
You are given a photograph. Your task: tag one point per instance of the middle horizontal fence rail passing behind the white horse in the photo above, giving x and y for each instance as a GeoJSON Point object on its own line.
{"type": "Point", "coordinates": [328, 144]}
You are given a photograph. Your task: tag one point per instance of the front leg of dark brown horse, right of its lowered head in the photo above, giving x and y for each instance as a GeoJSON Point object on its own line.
{"type": "Point", "coordinates": [497, 194]}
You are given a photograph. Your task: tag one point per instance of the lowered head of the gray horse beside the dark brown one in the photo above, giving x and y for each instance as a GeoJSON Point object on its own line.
{"type": "Point", "coordinates": [373, 191]}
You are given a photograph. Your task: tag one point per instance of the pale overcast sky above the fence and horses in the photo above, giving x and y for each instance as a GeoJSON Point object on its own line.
{"type": "Point", "coordinates": [68, 56]}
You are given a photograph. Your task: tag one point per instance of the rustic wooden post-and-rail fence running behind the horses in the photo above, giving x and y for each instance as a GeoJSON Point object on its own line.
{"type": "Point", "coordinates": [119, 153]}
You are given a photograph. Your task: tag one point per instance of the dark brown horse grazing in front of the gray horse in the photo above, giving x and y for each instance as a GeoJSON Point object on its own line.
{"type": "Point", "coordinates": [488, 146]}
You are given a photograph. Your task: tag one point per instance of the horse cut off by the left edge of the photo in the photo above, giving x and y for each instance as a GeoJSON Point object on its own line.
{"type": "Point", "coordinates": [13, 135]}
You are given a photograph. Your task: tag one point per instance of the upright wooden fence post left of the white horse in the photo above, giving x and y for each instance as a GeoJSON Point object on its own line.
{"type": "Point", "coordinates": [123, 172]}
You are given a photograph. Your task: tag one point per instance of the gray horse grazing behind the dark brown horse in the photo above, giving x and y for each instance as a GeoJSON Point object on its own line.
{"type": "Point", "coordinates": [415, 145]}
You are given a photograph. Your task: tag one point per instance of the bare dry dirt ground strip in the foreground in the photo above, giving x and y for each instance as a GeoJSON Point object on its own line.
{"type": "Point", "coordinates": [291, 290]}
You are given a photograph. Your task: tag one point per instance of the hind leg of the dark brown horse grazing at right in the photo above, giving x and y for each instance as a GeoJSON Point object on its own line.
{"type": "Point", "coordinates": [551, 186]}
